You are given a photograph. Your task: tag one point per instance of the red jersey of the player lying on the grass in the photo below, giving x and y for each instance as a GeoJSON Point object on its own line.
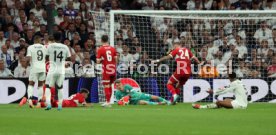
{"type": "Point", "coordinates": [74, 100]}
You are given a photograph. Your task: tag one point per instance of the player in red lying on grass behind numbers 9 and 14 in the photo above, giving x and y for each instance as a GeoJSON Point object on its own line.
{"type": "Point", "coordinates": [76, 100]}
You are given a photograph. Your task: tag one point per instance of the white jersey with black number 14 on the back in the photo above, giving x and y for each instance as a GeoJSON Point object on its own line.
{"type": "Point", "coordinates": [58, 53]}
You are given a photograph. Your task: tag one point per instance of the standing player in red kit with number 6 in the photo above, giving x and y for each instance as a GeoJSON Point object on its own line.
{"type": "Point", "coordinates": [107, 56]}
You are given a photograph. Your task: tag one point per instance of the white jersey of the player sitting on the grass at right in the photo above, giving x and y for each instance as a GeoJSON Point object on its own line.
{"type": "Point", "coordinates": [239, 91]}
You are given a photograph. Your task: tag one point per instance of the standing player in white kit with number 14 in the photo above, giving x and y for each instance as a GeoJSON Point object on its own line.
{"type": "Point", "coordinates": [57, 53]}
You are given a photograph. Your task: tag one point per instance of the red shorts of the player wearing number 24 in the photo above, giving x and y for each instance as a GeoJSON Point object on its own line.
{"type": "Point", "coordinates": [179, 79]}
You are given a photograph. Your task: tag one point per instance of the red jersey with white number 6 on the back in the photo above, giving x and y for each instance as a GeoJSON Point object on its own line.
{"type": "Point", "coordinates": [107, 54]}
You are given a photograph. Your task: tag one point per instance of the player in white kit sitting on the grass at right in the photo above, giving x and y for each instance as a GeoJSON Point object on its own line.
{"type": "Point", "coordinates": [236, 86]}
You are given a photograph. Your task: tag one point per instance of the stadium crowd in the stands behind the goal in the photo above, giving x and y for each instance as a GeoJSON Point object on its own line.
{"type": "Point", "coordinates": [250, 44]}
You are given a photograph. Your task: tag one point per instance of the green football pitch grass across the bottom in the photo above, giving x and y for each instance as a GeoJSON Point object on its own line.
{"type": "Point", "coordinates": [182, 119]}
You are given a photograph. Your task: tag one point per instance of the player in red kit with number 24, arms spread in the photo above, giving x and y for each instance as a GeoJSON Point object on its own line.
{"type": "Point", "coordinates": [183, 57]}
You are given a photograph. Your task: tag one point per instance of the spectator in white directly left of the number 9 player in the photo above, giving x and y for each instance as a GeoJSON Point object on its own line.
{"type": "Point", "coordinates": [22, 70]}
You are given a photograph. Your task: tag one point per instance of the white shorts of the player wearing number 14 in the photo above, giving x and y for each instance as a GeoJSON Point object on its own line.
{"type": "Point", "coordinates": [53, 79]}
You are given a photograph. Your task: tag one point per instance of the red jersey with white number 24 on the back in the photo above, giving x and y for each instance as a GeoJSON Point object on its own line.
{"type": "Point", "coordinates": [183, 59]}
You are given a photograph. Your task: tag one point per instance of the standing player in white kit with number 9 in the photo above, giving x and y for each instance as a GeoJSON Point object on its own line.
{"type": "Point", "coordinates": [36, 55]}
